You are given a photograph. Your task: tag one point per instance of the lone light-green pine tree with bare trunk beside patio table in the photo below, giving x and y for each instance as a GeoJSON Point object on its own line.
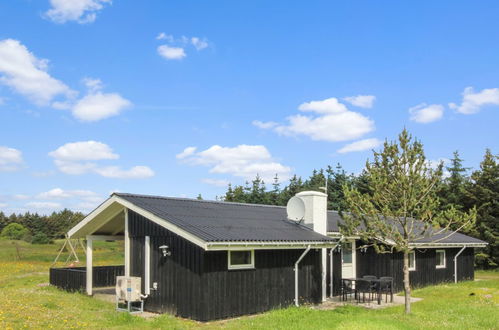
{"type": "Point", "coordinates": [403, 189]}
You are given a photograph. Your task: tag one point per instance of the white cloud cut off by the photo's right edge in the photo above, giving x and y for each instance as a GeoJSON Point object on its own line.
{"type": "Point", "coordinates": [473, 102]}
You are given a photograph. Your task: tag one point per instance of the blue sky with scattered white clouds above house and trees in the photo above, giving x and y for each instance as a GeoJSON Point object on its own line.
{"type": "Point", "coordinates": [180, 97]}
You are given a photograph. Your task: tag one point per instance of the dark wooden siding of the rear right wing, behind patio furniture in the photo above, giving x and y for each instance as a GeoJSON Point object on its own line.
{"type": "Point", "coordinates": [426, 273]}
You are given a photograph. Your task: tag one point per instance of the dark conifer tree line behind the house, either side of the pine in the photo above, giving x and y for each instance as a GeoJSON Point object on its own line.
{"type": "Point", "coordinates": [460, 188]}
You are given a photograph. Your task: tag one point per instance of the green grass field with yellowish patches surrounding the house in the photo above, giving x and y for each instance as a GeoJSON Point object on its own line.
{"type": "Point", "coordinates": [26, 302]}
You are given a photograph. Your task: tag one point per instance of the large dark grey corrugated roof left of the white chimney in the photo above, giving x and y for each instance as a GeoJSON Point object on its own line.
{"type": "Point", "coordinates": [221, 221]}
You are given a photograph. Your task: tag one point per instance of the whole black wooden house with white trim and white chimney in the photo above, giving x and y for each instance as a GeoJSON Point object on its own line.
{"type": "Point", "coordinates": [209, 260]}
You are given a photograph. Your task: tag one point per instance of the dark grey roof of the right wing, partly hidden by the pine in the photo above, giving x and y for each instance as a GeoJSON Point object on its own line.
{"type": "Point", "coordinates": [334, 219]}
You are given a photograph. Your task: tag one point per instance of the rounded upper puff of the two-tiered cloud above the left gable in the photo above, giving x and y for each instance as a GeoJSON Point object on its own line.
{"type": "Point", "coordinates": [84, 150]}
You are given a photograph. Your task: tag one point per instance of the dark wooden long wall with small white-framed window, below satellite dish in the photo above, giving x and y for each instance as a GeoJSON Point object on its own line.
{"type": "Point", "coordinates": [229, 293]}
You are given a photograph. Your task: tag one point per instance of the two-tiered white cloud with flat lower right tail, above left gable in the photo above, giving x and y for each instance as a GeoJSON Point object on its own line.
{"type": "Point", "coordinates": [80, 158]}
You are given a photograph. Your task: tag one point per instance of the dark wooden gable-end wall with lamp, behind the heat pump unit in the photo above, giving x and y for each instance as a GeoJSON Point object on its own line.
{"type": "Point", "coordinates": [178, 276]}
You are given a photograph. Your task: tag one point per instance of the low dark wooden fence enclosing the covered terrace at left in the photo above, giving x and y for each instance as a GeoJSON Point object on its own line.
{"type": "Point", "coordinates": [75, 278]}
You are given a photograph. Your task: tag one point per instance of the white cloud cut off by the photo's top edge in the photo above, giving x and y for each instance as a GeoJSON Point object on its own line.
{"type": "Point", "coordinates": [81, 11]}
